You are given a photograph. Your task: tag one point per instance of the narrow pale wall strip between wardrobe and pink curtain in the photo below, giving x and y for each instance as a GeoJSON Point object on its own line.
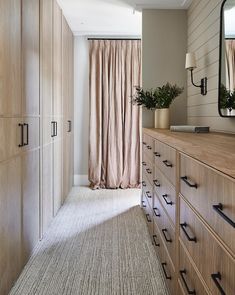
{"type": "Point", "coordinates": [81, 110]}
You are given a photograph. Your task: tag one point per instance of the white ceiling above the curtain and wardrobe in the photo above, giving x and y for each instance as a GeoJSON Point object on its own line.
{"type": "Point", "coordinates": [112, 17]}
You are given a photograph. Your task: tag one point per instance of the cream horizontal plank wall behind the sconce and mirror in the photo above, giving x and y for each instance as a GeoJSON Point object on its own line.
{"type": "Point", "coordinates": [203, 39]}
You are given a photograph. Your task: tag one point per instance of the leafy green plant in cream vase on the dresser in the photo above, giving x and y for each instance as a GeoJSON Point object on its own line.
{"type": "Point", "coordinates": [159, 100]}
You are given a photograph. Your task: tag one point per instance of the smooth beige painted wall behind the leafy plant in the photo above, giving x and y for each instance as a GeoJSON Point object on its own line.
{"type": "Point", "coordinates": [164, 49]}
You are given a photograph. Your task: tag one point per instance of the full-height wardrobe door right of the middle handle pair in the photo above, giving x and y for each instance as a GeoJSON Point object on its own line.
{"type": "Point", "coordinates": [57, 107]}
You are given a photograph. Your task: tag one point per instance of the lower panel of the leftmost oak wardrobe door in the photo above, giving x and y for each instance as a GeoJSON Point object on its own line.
{"type": "Point", "coordinates": [10, 223]}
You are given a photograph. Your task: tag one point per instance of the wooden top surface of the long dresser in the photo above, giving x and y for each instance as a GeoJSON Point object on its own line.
{"type": "Point", "coordinates": [216, 150]}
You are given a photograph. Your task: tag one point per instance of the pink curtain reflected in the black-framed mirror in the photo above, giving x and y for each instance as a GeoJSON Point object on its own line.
{"type": "Point", "coordinates": [230, 64]}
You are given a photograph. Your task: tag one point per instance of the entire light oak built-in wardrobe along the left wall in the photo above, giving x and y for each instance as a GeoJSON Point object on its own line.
{"type": "Point", "coordinates": [36, 134]}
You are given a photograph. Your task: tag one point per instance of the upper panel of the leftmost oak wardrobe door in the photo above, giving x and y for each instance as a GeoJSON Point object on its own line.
{"type": "Point", "coordinates": [10, 53]}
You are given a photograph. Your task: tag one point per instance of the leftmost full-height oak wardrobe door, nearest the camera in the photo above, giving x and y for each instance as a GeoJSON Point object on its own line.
{"type": "Point", "coordinates": [10, 139]}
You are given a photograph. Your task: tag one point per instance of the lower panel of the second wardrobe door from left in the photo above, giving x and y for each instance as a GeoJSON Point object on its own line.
{"type": "Point", "coordinates": [30, 189]}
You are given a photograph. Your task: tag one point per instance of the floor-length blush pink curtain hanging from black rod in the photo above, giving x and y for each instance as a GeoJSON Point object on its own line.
{"type": "Point", "coordinates": [115, 124]}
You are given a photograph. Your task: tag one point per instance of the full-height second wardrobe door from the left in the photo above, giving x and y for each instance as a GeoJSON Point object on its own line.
{"type": "Point", "coordinates": [31, 119]}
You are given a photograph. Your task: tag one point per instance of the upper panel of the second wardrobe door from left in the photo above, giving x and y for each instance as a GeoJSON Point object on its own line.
{"type": "Point", "coordinates": [30, 57]}
